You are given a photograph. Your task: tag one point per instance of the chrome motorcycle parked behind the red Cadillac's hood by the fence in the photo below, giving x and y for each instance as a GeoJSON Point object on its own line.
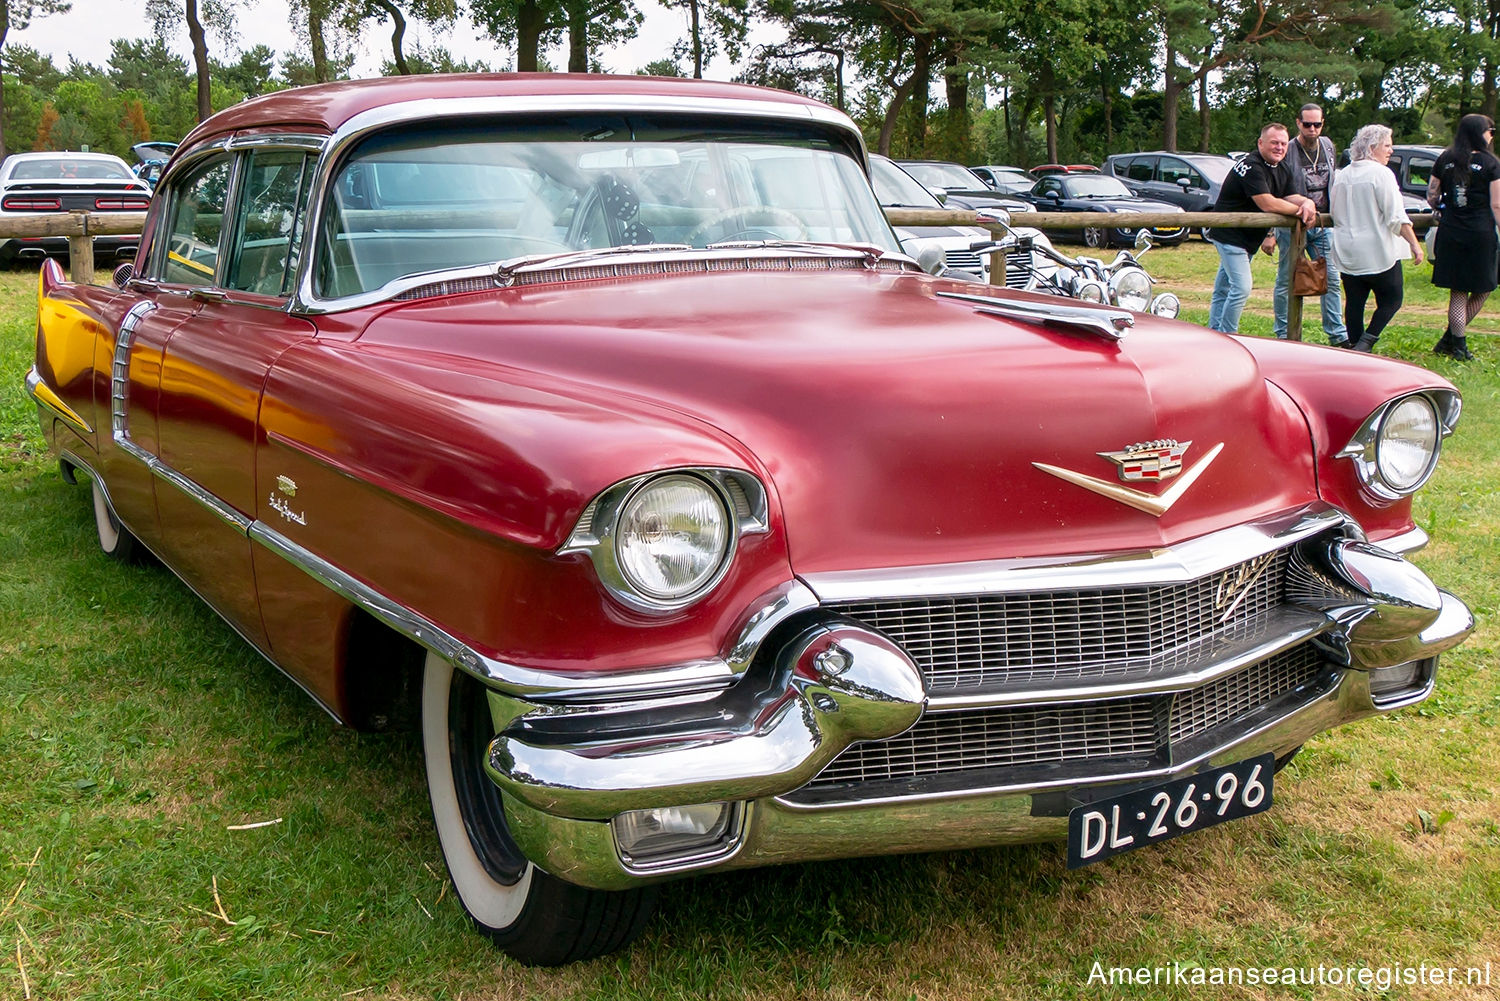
{"type": "Point", "coordinates": [1033, 265]}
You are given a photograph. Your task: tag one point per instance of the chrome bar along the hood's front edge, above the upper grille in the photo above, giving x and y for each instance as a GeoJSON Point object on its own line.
{"type": "Point", "coordinates": [1172, 565]}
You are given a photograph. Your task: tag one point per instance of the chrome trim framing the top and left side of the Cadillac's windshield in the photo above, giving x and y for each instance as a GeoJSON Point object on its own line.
{"type": "Point", "coordinates": [307, 302]}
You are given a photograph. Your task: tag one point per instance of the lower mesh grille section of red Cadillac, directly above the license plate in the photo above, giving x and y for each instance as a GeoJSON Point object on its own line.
{"type": "Point", "coordinates": [1090, 735]}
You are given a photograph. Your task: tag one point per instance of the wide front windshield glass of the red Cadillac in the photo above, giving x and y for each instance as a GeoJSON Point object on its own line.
{"type": "Point", "coordinates": [434, 199]}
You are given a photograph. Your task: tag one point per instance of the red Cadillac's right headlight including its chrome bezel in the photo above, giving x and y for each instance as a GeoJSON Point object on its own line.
{"type": "Point", "coordinates": [1396, 451]}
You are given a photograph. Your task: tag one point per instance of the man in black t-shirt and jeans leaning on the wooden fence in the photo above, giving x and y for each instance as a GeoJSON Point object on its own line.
{"type": "Point", "coordinates": [1259, 182]}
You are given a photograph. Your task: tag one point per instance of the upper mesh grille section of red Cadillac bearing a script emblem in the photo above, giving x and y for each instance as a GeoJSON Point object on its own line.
{"type": "Point", "coordinates": [992, 642]}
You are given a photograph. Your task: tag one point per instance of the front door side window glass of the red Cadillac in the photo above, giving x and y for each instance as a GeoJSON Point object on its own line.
{"type": "Point", "coordinates": [269, 235]}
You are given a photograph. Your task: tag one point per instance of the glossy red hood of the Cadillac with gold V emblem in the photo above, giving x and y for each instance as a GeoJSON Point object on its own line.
{"type": "Point", "coordinates": [896, 425]}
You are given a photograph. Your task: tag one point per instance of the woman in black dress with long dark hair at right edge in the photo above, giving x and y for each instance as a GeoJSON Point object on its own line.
{"type": "Point", "coordinates": [1466, 191]}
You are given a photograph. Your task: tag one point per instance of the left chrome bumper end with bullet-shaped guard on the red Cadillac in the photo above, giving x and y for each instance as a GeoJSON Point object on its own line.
{"type": "Point", "coordinates": [827, 688]}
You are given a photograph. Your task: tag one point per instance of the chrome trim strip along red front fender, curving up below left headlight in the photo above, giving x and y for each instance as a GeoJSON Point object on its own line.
{"type": "Point", "coordinates": [530, 684]}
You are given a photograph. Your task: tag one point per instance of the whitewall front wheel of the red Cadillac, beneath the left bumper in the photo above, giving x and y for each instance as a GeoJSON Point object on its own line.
{"type": "Point", "coordinates": [530, 915]}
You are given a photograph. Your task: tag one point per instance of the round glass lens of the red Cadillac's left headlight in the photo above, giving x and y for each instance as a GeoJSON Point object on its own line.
{"type": "Point", "coordinates": [673, 538]}
